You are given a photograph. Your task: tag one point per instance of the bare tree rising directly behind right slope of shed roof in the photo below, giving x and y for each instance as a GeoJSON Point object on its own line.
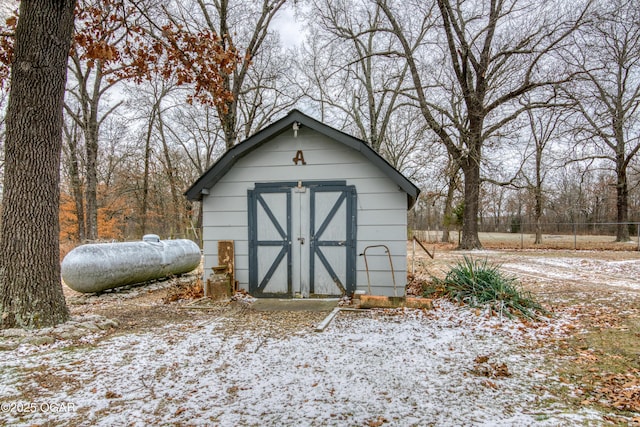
{"type": "Point", "coordinates": [348, 67]}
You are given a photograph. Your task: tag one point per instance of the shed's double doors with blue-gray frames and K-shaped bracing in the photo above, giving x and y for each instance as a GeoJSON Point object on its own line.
{"type": "Point", "coordinates": [302, 239]}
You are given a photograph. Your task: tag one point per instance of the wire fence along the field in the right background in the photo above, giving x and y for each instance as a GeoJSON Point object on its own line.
{"type": "Point", "coordinates": [577, 236]}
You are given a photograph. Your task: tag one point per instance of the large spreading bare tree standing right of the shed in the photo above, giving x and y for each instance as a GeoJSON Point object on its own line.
{"type": "Point", "coordinates": [495, 52]}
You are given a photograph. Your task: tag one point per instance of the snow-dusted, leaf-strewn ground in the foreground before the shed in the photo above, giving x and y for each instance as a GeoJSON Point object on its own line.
{"type": "Point", "coordinates": [445, 367]}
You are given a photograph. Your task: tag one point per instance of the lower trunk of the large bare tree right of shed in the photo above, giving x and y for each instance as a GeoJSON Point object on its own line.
{"type": "Point", "coordinates": [471, 171]}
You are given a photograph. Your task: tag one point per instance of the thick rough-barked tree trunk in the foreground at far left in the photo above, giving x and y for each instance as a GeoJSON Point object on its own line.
{"type": "Point", "coordinates": [30, 288]}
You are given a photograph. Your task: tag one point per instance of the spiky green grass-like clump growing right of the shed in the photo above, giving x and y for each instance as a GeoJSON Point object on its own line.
{"type": "Point", "coordinates": [478, 283]}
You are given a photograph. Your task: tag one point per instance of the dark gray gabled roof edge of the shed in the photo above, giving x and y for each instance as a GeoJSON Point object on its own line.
{"type": "Point", "coordinates": [226, 162]}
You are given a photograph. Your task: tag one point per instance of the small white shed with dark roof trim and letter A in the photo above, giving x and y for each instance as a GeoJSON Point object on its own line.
{"type": "Point", "coordinates": [311, 210]}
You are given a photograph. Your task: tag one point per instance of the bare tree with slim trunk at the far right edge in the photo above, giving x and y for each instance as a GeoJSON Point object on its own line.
{"type": "Point", "coordinates": [607, 54]}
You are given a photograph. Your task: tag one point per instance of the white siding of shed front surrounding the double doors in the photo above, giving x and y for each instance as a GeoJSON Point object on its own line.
{"type": "Point", "coordinates": [381, 216]}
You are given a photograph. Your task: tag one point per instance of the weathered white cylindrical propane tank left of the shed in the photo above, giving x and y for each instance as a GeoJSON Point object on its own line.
{"type": "Point", "coordinates": [101, 266]}
